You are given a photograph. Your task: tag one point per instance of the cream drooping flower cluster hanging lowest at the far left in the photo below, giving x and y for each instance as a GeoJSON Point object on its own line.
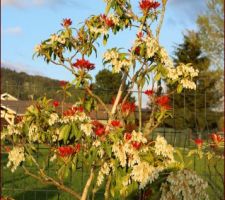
{"type": "Point", "coordinates": [16, 156]}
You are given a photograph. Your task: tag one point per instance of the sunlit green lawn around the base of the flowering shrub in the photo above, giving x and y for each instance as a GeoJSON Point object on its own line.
{"type": "Point", "coordinates": [22, 187]}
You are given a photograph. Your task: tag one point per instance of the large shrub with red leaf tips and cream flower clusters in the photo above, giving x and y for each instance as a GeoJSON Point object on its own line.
{"type": "Point", "coordinates": [118, 155]}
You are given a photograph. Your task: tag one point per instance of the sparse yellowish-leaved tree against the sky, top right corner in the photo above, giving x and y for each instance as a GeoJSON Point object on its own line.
{"type": "Point", "coordinates": [211, 31]}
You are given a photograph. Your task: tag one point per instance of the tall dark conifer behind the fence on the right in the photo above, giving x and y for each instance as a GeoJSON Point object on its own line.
{"type": "Point", "coordinates": [195, 109]}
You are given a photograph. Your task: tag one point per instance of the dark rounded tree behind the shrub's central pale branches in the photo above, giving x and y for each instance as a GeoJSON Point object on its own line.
{"type": "Point", "coordinates": [107, 85]}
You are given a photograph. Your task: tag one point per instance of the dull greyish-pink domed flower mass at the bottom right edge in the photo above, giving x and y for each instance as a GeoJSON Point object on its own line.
{"type": "Point", "coordinates": [184, 184]}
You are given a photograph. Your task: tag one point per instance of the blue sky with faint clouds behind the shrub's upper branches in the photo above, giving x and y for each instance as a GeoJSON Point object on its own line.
{"type": "Point", "coordinates": [26, 23]}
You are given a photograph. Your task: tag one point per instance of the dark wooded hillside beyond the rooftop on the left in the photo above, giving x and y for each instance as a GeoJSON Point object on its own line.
{"type": "Point", "coordinates": [22, 85]}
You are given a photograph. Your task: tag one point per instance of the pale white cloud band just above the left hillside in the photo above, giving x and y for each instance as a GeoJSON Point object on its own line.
{"type": "Point", "coordinates": [21, 67]}
